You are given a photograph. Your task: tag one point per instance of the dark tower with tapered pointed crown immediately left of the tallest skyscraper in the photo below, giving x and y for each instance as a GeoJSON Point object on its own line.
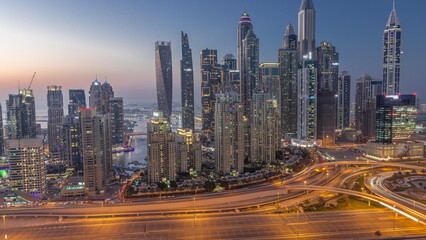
{"type": "Point", "coordinates": [287, 58]}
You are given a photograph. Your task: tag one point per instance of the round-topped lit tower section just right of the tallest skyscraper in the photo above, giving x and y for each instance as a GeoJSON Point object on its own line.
{"type": "Point", "coordinates": [328, 66]}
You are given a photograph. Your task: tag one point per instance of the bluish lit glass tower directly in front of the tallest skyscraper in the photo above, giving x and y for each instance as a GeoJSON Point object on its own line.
{"type": "Point", "coordinates": [307, 101]}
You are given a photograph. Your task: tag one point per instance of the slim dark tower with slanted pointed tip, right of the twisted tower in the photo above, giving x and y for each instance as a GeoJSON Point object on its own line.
{"type": "Point", "coordinates": [187, 84]}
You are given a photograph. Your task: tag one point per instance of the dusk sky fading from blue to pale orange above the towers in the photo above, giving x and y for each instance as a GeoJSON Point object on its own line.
{"type": "Point", "coordinates": [70, 43]}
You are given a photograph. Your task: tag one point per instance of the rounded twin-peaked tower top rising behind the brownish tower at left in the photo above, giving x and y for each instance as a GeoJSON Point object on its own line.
{"type": "Point", "coordinates": [99, 96]}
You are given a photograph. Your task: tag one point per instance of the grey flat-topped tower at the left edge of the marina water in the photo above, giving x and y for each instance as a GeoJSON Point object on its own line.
{"type": "Point", "coordinates": [117, 119]}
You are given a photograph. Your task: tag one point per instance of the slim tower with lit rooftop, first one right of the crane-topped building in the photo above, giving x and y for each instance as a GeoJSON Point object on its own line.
{"type": "Point", "coordinates": [55, 105]}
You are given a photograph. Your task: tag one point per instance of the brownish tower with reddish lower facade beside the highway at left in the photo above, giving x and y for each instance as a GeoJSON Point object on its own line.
{"type": "Point", "coordinates": [96, 150]}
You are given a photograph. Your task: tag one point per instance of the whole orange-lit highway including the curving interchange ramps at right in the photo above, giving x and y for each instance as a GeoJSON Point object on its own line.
{"type": "Point", "coordinates": [236, 214]}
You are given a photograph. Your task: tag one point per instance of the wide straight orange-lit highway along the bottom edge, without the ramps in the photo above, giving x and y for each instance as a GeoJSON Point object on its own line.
{"type": "Point", "coordinates": [317, 225]}
